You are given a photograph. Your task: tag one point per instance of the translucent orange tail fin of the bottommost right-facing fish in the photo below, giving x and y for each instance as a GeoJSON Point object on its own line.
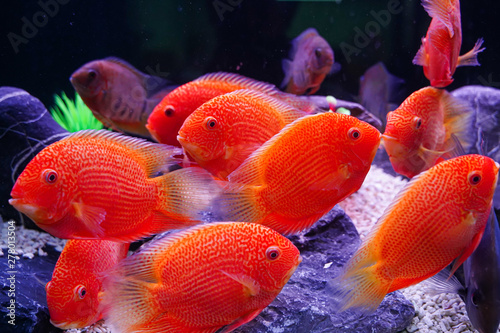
{"type": "Point", "coordinates": [129, 295]}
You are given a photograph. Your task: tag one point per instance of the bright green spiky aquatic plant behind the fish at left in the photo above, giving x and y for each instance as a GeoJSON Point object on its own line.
{"type": "Point", "coordinates": [73, 115]}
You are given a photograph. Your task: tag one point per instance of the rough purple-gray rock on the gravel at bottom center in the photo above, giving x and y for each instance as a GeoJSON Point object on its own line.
{"type": "Point", "coordinates": [302, 304]}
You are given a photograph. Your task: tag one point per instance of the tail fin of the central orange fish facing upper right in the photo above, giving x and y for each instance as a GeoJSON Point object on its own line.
{"type": "Point", "coordinates": [240, 203]}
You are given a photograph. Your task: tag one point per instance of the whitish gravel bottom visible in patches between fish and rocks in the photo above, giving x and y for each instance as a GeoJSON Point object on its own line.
{"type": "Point", "coordinates": [434, 313]}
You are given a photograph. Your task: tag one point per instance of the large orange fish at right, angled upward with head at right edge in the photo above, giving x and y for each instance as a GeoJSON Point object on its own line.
{"type": "Point", "coordinates": [438, 217]}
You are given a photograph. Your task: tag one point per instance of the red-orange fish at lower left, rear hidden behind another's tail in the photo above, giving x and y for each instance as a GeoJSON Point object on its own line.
{"type": "Point", "coordinates": [73, 294]}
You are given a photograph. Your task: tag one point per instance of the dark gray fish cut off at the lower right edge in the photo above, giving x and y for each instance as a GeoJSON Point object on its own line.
{"type": "Point", "coordinates": [481, 277]}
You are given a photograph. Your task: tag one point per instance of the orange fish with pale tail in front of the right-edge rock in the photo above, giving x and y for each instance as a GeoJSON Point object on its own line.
{"type": "Point", "coordinates": [420, 131]}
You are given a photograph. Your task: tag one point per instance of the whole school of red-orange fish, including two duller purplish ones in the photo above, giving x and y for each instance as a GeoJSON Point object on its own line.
{"type": "Point", "coordinates": [268, 164]}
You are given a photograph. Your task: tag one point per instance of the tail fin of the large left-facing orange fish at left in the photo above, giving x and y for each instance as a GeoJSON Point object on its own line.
{"type": "Point", "coordinates": [185, 194]}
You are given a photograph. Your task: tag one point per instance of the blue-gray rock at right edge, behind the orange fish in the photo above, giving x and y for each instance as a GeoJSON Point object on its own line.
{"type": "Point", "coordinates": [486, 104]}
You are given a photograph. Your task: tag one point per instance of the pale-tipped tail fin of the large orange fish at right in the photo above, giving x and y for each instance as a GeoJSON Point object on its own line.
{"type": "Point", "coordinates": [359, 287]}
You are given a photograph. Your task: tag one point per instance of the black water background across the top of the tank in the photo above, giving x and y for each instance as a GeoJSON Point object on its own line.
{"type": "Point", "coordinates": [182, 40]}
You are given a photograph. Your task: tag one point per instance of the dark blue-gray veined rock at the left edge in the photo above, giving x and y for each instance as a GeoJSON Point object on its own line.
{"type": "Point", "coordinates": [26, 127]}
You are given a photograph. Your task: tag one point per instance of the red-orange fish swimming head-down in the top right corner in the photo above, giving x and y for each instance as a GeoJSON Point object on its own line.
{"type": "Point", "coordinates": [440, 49]}
